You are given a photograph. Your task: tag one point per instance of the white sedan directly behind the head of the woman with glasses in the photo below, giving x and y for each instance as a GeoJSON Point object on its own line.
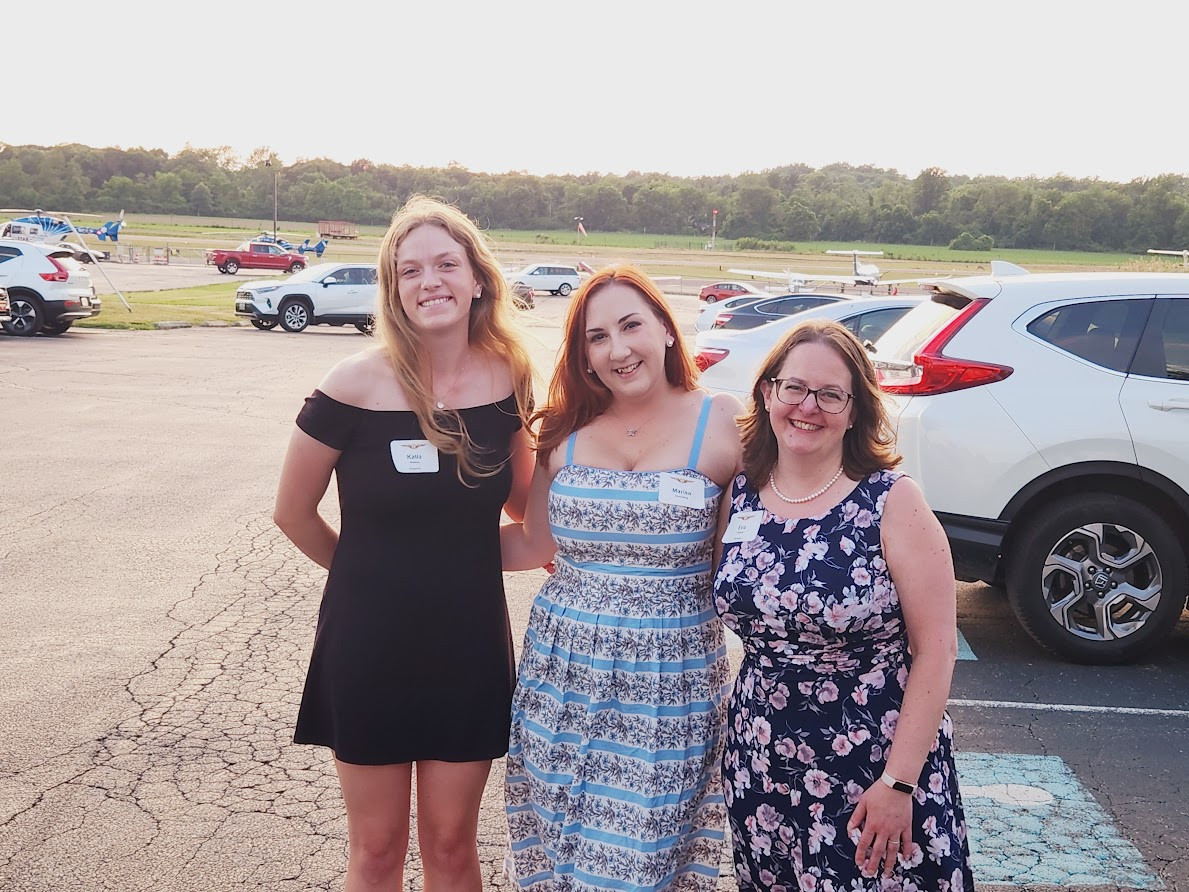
{"type": "Point", "coordinates": [731, 360]}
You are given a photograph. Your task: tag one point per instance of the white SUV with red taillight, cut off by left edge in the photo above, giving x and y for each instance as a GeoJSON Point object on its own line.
{"type": "Point", "coordinates": [48, 290]}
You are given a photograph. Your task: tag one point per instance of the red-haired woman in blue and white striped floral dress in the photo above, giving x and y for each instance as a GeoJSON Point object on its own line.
{"type": "Point", "coordinates": [618, 717]}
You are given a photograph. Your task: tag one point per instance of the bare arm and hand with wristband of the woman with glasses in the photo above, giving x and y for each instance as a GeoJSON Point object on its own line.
{"type": "Point", "coordinates": [919, 558]}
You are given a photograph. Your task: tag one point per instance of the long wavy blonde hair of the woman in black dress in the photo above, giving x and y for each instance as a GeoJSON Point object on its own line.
{"type": "Point", "coordinates": [493, 331]}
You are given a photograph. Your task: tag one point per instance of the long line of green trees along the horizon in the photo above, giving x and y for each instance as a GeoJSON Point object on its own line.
{"type": "Point", "coordinates": [838, 203]}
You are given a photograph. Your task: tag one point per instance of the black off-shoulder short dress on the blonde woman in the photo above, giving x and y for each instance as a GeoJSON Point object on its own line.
{"type": "Point", "coordinates": [413, 657]}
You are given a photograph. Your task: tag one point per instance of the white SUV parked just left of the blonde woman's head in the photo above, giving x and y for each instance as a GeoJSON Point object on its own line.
{"type": "Point", "coordinates": [324, 294]}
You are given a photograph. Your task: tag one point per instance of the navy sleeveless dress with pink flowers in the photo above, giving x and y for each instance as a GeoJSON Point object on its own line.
{"type": "Point", "coordinates": [816, 703]}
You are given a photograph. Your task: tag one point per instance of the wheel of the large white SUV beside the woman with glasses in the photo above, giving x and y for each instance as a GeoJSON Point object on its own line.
{"type": "Point", "coordinates": [1098, 579]}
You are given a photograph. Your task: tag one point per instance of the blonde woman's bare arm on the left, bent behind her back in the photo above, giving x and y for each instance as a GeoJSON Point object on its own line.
{"type": "Point", "coordinates": [305, 476]}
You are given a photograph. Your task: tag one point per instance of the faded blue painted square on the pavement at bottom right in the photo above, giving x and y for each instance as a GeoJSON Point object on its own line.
{"type": "Point", "coordinates": [1031, 822]}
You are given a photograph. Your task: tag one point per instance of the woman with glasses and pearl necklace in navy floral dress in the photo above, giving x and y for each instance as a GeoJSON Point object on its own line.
{"type": "Point", "coordinates": [839, 763]}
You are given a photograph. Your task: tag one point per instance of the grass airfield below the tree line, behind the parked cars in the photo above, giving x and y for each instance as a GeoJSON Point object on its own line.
{"type": "Point", "coordinates": [683, 256]}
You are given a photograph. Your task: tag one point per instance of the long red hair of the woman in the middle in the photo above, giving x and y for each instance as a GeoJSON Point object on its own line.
{"type": "Point", "coordinates": [576, 397]}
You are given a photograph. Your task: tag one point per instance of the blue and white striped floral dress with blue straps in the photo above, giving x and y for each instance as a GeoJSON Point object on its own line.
{"type": "Point", "coordinates": [614, 761]}
